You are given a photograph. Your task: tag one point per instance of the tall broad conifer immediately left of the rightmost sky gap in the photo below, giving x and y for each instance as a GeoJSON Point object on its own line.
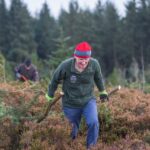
{"type": "Point", "coordinates": [105, 31]}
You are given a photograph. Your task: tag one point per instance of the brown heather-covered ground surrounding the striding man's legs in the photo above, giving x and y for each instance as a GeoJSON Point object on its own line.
{"type": "Point", "coordinates": [124, 120]}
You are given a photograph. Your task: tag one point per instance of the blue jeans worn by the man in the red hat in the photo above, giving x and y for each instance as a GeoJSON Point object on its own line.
{"type": "Point", "coordinates": [89, 111]}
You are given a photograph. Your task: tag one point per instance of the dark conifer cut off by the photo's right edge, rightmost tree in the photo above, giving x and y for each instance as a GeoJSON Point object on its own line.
{"type": "Point", "coordinates": [143, 32]}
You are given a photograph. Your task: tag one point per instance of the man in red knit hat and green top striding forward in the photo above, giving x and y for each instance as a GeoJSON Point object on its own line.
{"type": "Point", "coordinates": [79, 75]}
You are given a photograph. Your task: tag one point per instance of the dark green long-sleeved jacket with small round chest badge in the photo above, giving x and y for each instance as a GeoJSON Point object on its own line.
{"type": "Point", "coordinates": [78, 87]}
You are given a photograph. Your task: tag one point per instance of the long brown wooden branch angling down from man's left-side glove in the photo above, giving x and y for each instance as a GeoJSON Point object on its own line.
{"type": "Point", "coordinates": [49, 107]}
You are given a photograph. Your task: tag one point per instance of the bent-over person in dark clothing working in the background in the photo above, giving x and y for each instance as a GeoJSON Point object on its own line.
{"type": "Point", "coordinates": [26, 71]}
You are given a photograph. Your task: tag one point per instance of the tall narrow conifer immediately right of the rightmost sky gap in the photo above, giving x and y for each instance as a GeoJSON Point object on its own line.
{"type": "Point", "coordinates": [128, 35]}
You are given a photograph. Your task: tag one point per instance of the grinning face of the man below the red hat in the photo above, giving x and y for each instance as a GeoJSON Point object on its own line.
{"type": "Point", "coordinates": [82, 63]}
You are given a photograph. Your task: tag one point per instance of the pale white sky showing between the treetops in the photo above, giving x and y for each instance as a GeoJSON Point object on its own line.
{"type": "Point", "coordinates": [34, 6]}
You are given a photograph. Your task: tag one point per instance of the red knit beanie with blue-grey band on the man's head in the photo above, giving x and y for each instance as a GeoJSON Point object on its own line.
{"type": "Point", "coordinates": [83, 50]}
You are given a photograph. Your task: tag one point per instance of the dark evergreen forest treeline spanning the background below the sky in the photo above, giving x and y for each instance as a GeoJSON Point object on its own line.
{"type": "Point", "coordinates": [115, 40]}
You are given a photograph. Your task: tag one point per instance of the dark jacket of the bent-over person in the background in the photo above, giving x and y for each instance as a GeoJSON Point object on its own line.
{"type": "Point", "coordinates": [29, 74]}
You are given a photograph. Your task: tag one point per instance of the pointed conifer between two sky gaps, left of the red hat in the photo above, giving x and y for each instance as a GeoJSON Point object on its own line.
{"type": "Point", "coordinates": [46, 32]}
